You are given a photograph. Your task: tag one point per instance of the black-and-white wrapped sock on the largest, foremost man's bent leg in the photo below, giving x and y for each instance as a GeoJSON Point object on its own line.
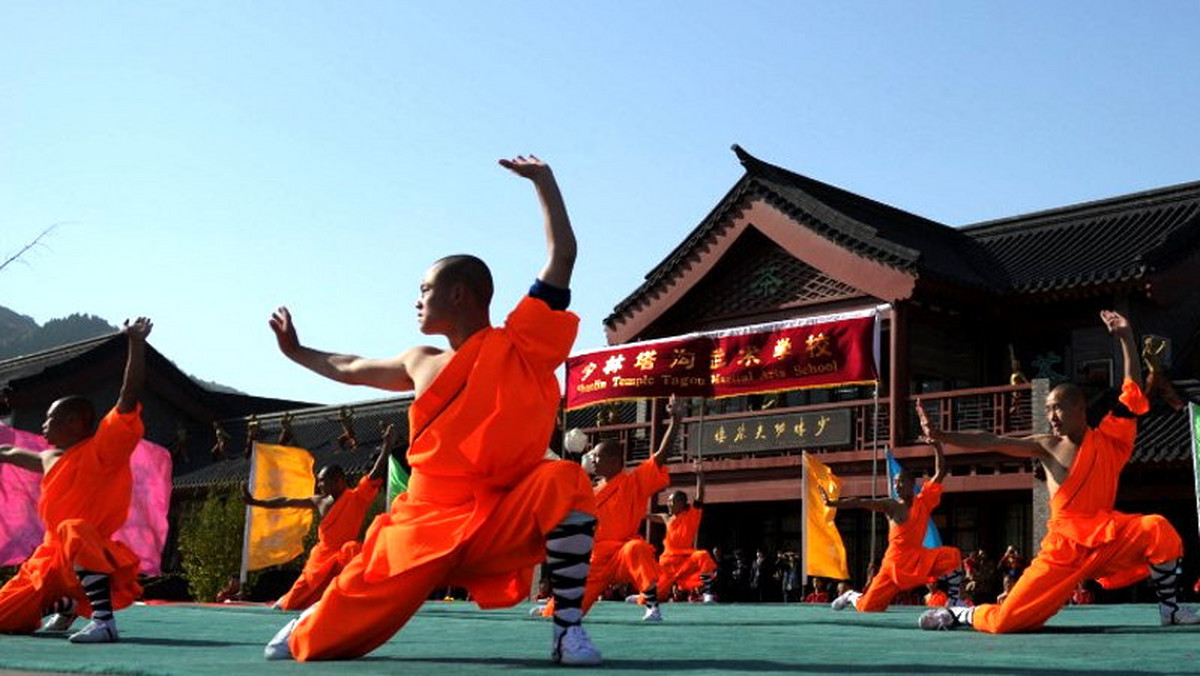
{"type": "Point", "coordinates": [568, 560]}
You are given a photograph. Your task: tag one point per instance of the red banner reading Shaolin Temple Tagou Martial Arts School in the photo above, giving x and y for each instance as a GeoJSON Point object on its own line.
{"type": "Point", "coordinates": [803, 354]}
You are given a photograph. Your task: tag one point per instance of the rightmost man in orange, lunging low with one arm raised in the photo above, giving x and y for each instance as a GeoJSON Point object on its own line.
{"type": "Point", "coordinates": [1087, 537]}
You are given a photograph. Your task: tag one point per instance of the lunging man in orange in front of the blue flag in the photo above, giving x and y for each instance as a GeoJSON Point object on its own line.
{"type": "Point", "coordinates": [908, 564]}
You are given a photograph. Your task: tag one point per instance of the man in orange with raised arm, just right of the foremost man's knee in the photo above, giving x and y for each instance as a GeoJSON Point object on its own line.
{"type": "Point", "coordinates": [622, 495]}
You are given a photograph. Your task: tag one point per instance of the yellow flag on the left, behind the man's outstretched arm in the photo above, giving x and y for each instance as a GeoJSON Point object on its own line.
{"type": "Point", "coordinates": [277, 536]}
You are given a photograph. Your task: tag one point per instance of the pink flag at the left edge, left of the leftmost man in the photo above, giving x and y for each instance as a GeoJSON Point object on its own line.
{"type": "Point", "coordinates": [21, 530]}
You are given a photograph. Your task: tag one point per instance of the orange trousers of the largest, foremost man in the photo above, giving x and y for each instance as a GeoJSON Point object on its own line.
{"type": "Point", "coordinates": [355, 618]}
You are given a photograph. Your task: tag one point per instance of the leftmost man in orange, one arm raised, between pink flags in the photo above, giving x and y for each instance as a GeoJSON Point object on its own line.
{"type": "Point", "coordinates": [87, 487]}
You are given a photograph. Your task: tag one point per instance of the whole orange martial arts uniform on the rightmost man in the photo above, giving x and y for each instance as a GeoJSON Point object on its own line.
{"type": "Point", "coordinates": [1087, 539]}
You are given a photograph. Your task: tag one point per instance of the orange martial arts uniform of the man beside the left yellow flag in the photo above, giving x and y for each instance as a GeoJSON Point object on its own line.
{"type": "Point", "coordinates": [337, 545]}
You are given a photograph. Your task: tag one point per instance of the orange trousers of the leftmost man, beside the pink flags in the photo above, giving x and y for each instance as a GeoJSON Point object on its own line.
{"type": "Point", "coordinates": [50, 576]}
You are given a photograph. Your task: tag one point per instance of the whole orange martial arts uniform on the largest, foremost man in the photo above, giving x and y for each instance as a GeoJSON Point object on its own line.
{"type": "Point", "coordinates": [482, 498]}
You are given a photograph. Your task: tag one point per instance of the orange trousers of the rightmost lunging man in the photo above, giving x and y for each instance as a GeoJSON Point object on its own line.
{"type": "Point", "coordinates": [1061, 565]}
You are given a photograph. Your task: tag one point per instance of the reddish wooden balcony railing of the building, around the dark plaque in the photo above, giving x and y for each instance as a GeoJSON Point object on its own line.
{"type": "Point", "coordinates": [1005, 410]}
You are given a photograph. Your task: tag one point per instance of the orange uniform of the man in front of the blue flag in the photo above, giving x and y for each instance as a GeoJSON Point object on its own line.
{"type": "Point", "coordinates": [907, 564]}
